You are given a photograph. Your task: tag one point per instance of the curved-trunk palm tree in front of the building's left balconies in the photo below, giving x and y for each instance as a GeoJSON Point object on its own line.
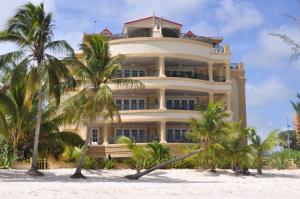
{"type": "Point", "coordinates": [97, 71]}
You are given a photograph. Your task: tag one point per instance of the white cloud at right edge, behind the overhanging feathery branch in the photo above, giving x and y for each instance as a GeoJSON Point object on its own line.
{"type": "Point", "coordinates": [270, 51]}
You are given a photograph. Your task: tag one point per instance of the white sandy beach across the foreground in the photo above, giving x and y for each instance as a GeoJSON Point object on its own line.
{"type": "Point", "coordinates": [159, 184]}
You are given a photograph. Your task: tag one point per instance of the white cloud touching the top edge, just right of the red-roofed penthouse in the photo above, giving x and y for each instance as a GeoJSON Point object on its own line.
{"type": "Point", "coordinates": [228, 17]}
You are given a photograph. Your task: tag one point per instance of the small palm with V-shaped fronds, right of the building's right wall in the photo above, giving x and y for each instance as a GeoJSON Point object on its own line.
{"type": "Point", "coordinates": [262, 147]}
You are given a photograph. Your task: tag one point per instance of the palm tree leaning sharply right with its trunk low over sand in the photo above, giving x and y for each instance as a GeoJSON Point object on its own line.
{"type": "Point", "coordinates": [208, 132]}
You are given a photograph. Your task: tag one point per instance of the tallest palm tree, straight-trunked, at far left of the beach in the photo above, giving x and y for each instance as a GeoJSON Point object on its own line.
{"type": "Point", "coordinates": [31, 28]}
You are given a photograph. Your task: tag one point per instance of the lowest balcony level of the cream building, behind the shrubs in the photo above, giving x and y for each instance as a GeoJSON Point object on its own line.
{"type": "Point", "coordinates": [140, 132]}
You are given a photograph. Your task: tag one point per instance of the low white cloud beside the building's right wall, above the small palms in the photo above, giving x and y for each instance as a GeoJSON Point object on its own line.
{"type": "Point", "coordinates": [269, 91]}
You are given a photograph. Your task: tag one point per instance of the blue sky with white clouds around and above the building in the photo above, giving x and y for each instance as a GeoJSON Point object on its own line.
{"type": "Point", "coordinates": [245, 24]}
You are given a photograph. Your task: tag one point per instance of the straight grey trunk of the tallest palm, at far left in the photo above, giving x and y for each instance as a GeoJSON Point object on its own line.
{"type": "Point", "coordinates": [34, 167]}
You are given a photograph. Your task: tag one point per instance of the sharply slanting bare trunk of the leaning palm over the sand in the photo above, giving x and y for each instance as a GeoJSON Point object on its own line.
{"type": "Point", "coordinates": [162, 165]}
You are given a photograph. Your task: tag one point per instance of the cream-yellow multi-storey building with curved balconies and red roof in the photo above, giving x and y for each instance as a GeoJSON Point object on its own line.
{"type": "Point", "coordinates": [182, 72]}
